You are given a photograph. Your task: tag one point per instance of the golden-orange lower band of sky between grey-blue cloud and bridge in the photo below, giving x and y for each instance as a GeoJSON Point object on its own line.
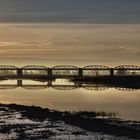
{"type": "Point", "coordinates": [74, 44]}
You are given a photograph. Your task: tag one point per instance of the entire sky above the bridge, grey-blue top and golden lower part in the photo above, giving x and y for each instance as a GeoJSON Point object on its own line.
{"type": "Point", "coordinates": [75, 32]}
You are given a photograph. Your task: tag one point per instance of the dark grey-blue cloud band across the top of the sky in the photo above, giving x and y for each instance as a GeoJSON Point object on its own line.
{"type": "Point", "coordinates": [70, 11]}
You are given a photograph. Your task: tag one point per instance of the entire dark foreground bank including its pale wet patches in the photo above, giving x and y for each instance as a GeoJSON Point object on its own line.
{"type": "Point", "coordinates": [24, 122]}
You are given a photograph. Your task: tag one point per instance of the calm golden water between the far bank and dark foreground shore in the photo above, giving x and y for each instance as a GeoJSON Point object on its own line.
{"type": "Point", "coordinates": [65, 96]}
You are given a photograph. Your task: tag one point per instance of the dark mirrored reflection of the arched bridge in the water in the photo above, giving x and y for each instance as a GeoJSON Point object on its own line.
{"type": "Point", "coordinates": [49, 84]}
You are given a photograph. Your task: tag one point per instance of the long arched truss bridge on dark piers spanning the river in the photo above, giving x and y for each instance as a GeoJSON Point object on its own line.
{"type": "Point", "coordinates": [67, 71]}
